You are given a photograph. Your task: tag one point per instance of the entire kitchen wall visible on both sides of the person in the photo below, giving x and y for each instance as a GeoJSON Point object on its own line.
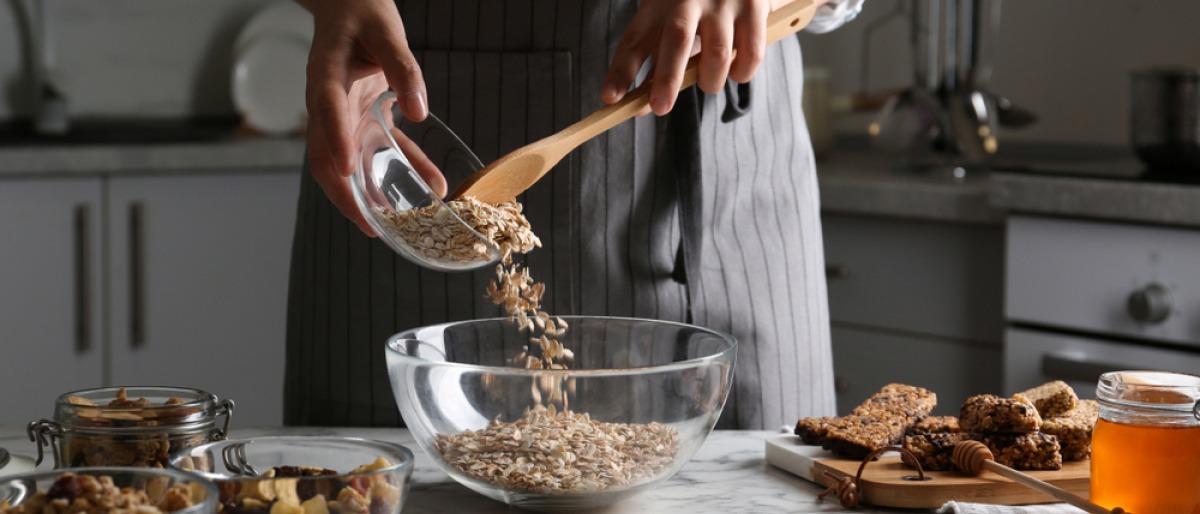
{"type": "Point", "coordinates": [1067, 61]}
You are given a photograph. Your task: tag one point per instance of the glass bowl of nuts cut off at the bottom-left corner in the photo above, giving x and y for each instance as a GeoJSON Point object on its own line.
{"type": "Point", "coordinates": [107, 489]}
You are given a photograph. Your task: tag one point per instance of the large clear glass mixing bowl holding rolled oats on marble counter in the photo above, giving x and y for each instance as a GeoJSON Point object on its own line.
{"type": "Point", "coordinates": [638, 402]}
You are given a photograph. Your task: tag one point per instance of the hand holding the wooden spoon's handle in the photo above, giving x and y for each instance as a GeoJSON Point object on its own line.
{"type": "Point", "coordinates": [733, 40]}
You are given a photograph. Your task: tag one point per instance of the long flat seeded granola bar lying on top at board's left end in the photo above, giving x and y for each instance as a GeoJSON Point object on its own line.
{"type": "Point", "coordinates": [880, 421]}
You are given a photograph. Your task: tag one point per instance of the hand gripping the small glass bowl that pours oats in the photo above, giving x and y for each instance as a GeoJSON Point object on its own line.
{"type": "Point", "coordinates": [359, 50]}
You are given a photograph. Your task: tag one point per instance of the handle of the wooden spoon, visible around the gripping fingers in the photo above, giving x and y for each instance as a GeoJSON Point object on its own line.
{"type": "Point", "coordinates": [783, 22]}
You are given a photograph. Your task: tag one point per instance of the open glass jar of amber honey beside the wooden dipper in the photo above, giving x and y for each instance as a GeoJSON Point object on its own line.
{"type": "Point", "coordinates": [1147, 443]}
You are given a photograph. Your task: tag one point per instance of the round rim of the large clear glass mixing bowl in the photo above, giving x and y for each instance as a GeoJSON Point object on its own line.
{"type": "Point", "coordinates": [731, 349]}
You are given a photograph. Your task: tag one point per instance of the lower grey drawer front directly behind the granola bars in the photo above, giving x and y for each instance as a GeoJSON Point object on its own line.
{"type": "Point", "coordinates": [866, 361]}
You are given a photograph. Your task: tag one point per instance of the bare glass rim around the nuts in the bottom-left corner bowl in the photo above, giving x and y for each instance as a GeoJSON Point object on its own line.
{"type": "Point", "coordinates": [19, 489]}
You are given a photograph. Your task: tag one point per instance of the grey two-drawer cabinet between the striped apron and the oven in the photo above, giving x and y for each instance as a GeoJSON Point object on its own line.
{"type": "Point", "coordinates": [916, 302]}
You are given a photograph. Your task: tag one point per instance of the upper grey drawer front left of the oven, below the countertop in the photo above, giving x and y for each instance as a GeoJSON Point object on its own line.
{"type": "Point", "coordinates": [916, 277]}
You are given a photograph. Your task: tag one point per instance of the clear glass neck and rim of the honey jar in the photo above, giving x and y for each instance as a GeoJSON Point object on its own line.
{"type": "Point", "coordinates": [1162, 392]}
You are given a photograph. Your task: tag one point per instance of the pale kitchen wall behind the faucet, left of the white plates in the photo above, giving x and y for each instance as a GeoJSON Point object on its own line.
{"type": "Point", "coordinates": [129, 58]}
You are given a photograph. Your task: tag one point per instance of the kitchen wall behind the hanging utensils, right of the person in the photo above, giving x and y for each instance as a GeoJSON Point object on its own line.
{"type": "Point", "coordinates": [1067, 61]}
